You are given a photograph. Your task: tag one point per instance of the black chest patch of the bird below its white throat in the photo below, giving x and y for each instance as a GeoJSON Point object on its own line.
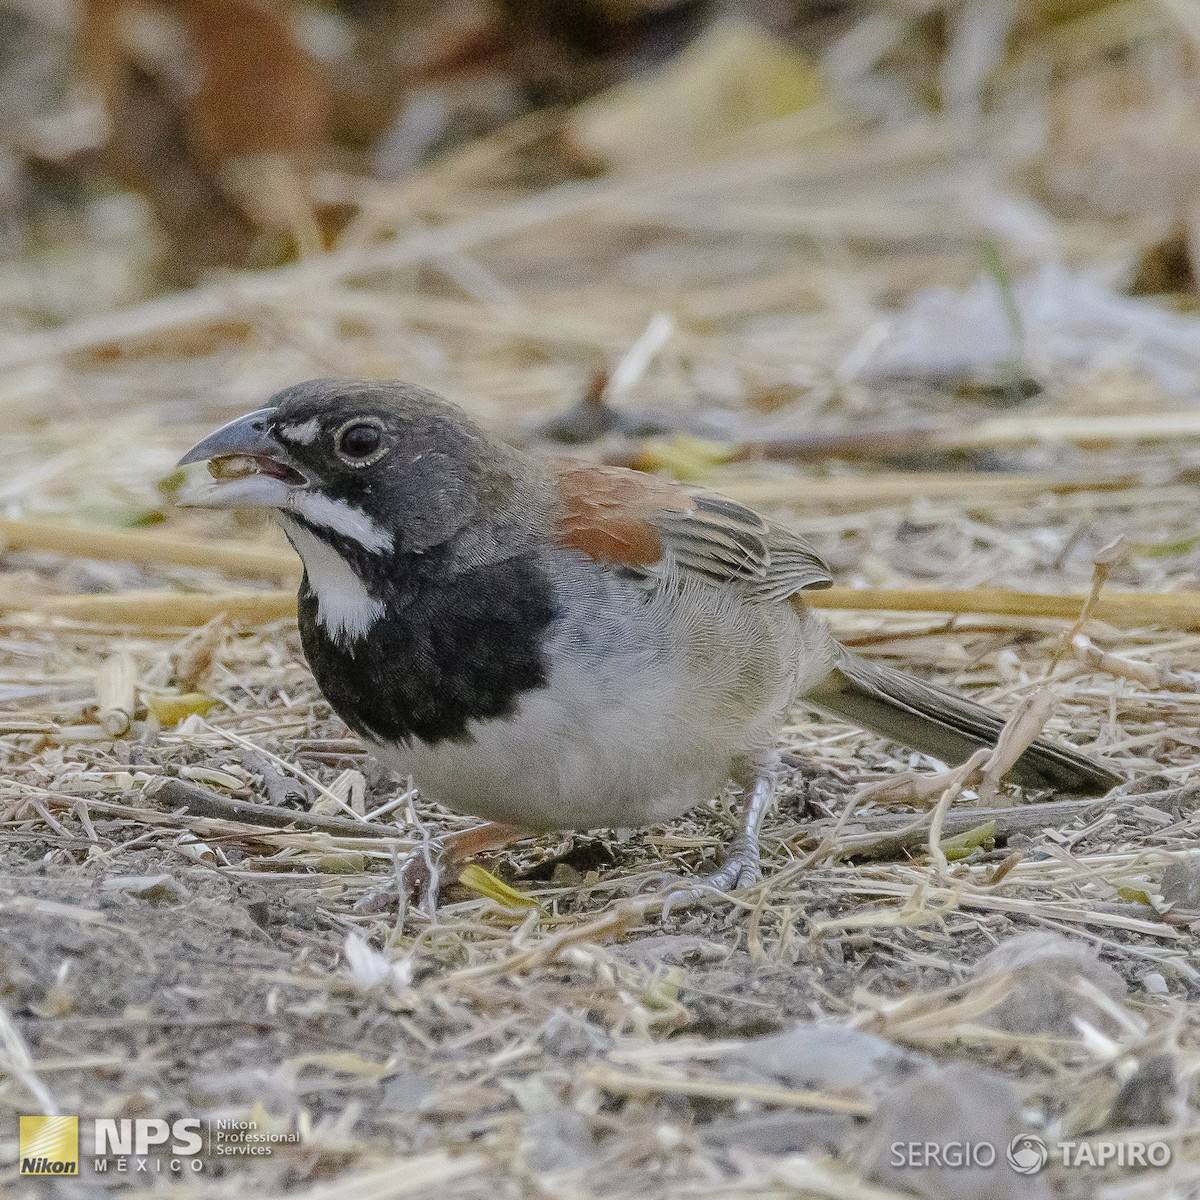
{"type": "Point", "coordinates": [448, 650]}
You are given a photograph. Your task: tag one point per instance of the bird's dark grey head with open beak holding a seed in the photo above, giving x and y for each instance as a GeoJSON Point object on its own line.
{"type": "Point", "coordinates": [369, 467]}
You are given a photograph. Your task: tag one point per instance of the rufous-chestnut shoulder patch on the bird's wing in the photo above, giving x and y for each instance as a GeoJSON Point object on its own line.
{"type": "Point", "coordinates": [609, 513]}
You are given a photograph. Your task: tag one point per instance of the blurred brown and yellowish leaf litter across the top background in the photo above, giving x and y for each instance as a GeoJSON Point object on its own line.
{"type": "Point", "coordinates": [232, 134]}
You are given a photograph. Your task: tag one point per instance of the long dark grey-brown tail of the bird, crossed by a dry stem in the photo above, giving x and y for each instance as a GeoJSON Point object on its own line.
{"type": "Point", "coordinates": [951, 728]}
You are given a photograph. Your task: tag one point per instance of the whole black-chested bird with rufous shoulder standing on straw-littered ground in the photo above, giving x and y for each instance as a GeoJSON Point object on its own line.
{"type": "Point", "coordinates": [554, 645]}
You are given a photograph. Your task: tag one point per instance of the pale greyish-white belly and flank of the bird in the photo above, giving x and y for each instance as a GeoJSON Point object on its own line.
{"type": "Point", "coordinates": [629, 730]}
